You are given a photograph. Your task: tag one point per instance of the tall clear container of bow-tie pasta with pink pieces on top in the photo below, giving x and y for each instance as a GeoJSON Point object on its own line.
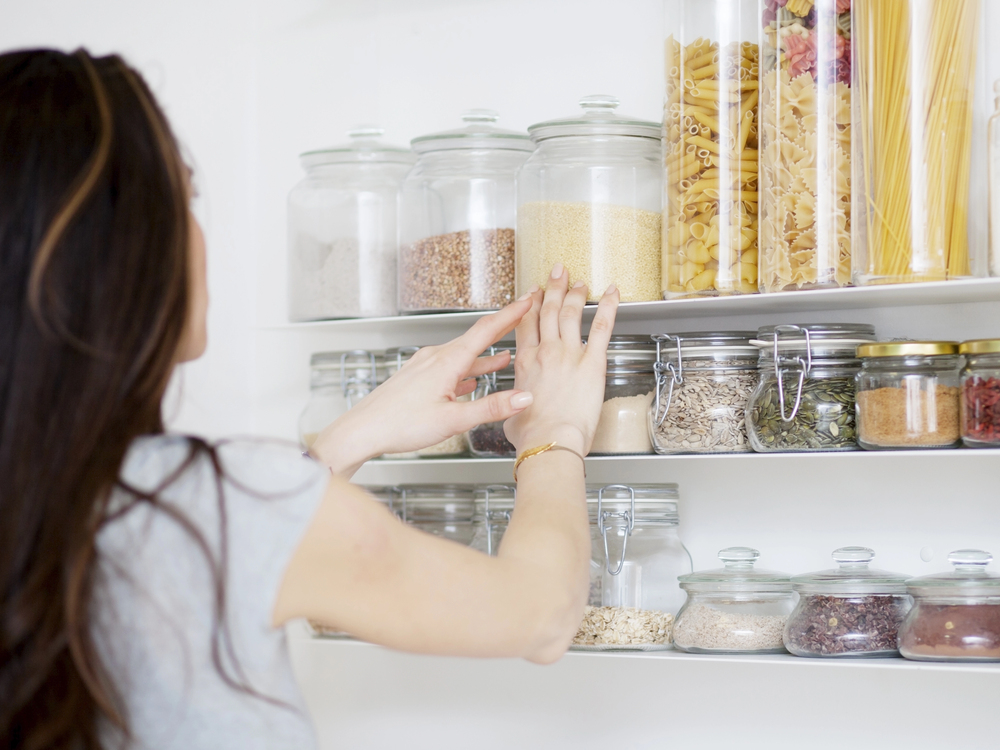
{"type": "Point", "coordinates": [805, 160]}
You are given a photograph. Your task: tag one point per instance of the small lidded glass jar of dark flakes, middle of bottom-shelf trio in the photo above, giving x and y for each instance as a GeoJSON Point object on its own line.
{"type": "Point", "coordinates": [848, 611]}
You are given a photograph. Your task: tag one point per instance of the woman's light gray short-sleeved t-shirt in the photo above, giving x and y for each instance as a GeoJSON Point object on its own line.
{"type": "Point", "coordinates": [154, 600]}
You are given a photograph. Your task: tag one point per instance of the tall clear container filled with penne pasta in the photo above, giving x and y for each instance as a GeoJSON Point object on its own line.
{"type": "Point", "coordinates": [710, 148]}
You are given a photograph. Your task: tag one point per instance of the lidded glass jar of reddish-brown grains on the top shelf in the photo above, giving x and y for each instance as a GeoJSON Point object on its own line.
{"type": "Point", "coordinates": [457, 216]}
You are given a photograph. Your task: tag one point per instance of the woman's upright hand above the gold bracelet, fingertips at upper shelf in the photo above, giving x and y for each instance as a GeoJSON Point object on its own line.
{"type": "Point", "coordinates": [565, 376]}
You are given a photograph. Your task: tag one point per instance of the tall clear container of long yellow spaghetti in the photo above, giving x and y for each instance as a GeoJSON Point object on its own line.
{"type": "Point", "coordinates": [919, 157]}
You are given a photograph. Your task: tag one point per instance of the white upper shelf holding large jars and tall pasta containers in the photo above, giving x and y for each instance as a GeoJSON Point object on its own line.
{"type": "Point", "coordinates": [820, 300]}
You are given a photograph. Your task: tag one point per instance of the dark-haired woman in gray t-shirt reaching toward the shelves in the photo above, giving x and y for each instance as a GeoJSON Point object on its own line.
{"type": "Point", "coordinates": [144, 577]}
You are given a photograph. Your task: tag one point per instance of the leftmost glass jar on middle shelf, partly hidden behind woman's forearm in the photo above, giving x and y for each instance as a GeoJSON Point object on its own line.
{"type": "Point", "coordinates": [337, 381]}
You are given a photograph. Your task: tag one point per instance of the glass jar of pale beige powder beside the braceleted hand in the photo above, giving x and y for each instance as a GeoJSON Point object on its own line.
{"type": "Point", "coordinates": [623, 427]}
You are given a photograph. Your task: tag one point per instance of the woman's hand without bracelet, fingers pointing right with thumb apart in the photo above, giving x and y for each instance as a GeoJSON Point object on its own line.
{"type": "Point", "coordinates": [418, 407]}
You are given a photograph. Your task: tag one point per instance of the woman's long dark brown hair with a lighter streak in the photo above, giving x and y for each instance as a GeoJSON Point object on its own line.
{"type": "Point", "coordinates": [93, 302]}
